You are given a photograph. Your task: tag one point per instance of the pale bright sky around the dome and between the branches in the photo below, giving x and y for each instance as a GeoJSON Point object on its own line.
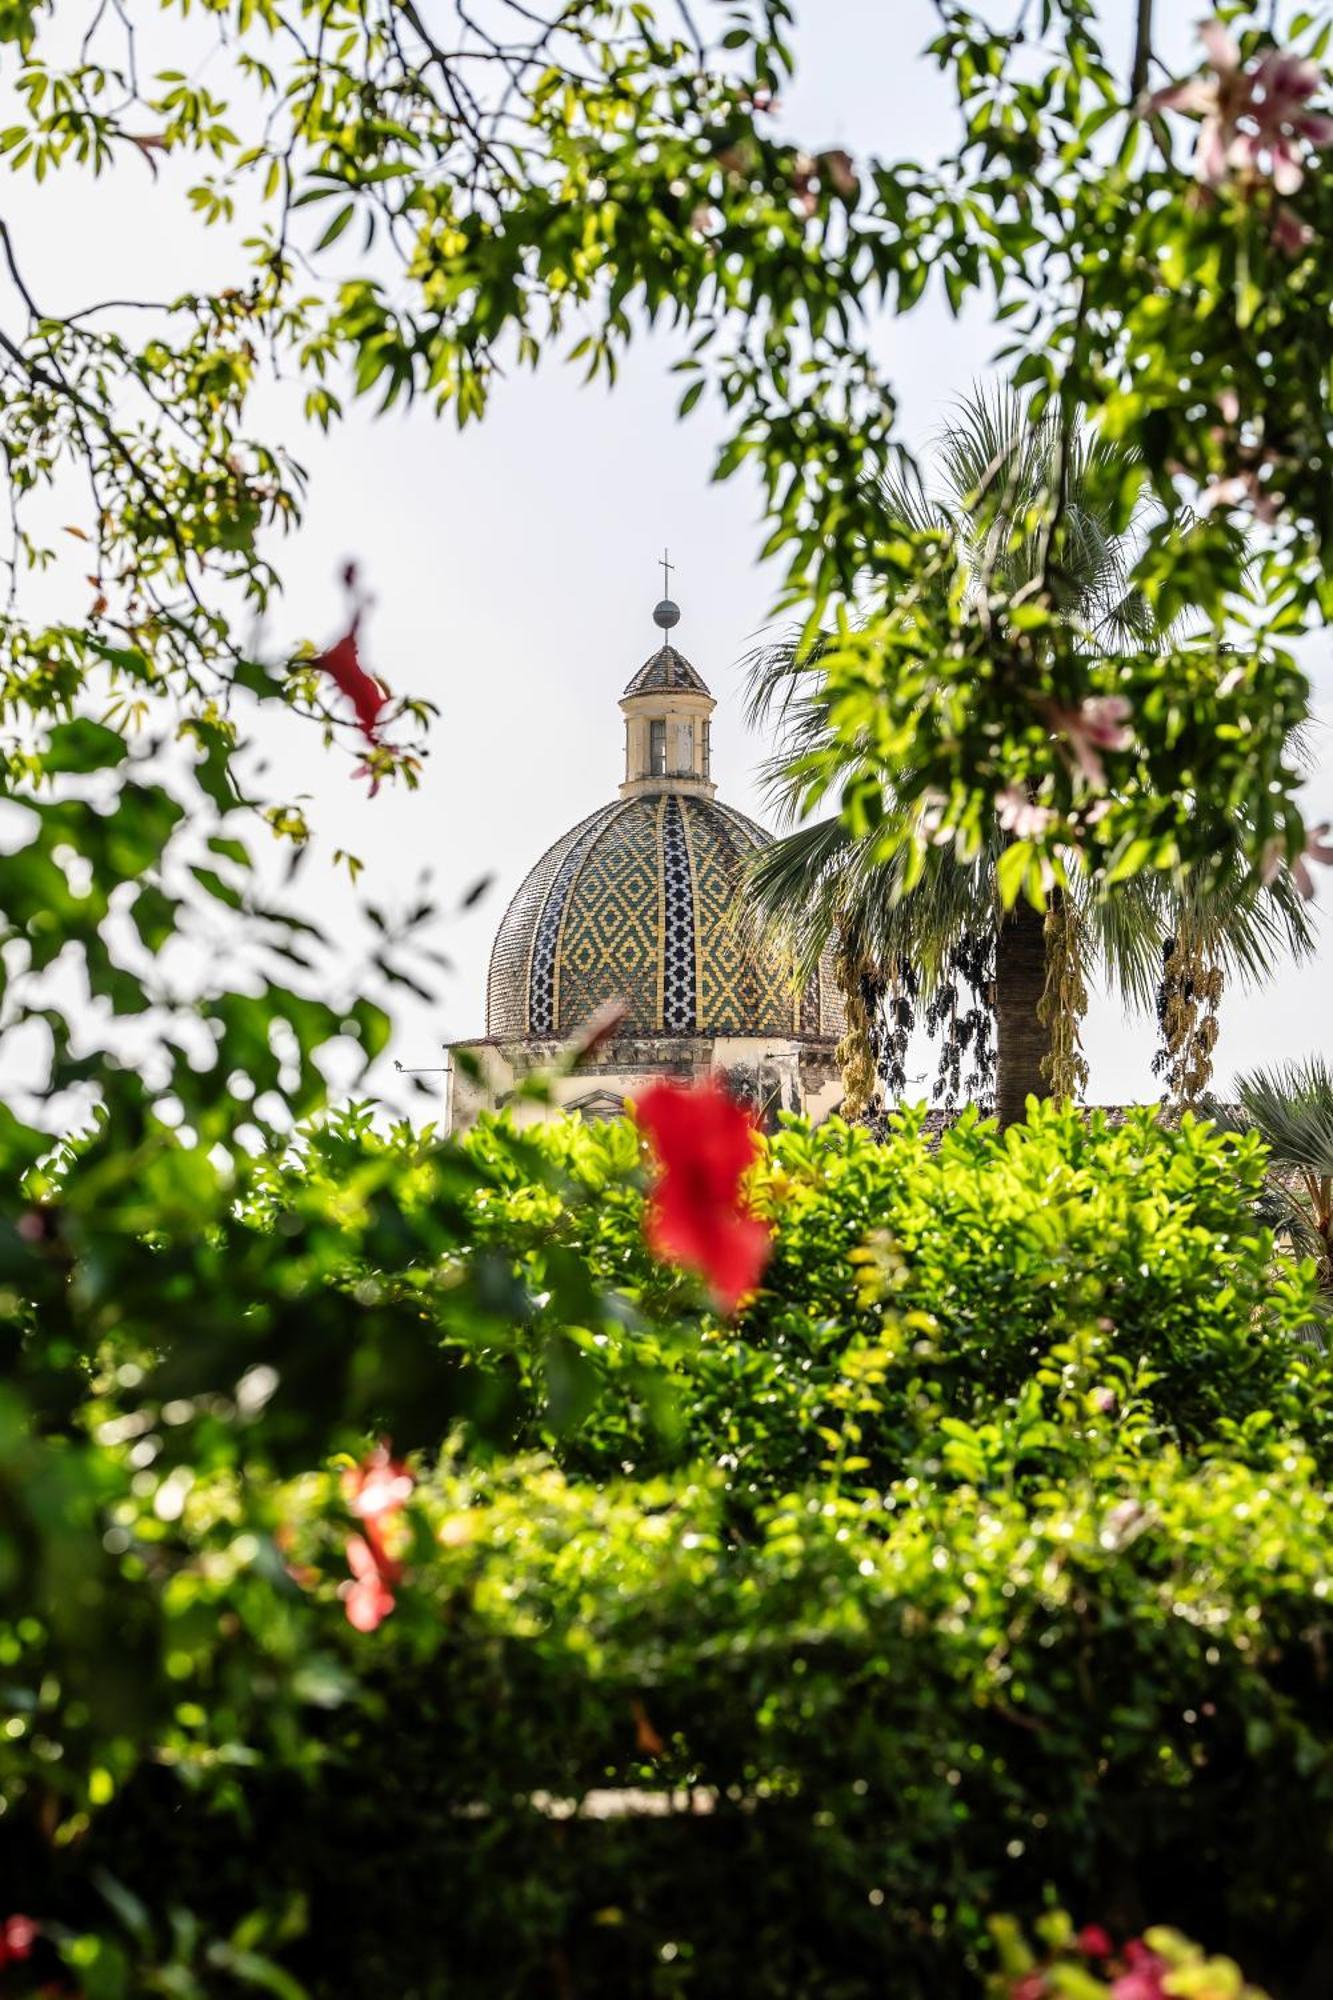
{"type": "Point", "coordinates": [513, 567]}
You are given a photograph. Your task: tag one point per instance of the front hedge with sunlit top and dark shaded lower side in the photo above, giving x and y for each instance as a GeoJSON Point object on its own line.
{"type": "Point", "coordinates": [910, 1715]}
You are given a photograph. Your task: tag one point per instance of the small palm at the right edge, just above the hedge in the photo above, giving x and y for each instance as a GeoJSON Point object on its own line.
{"type": "Point", "coordinates": [1292, 1111]}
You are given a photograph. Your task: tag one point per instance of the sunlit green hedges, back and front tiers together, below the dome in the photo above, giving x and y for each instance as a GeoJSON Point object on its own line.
{"type": "Point", "coordinates": [982, 1563]}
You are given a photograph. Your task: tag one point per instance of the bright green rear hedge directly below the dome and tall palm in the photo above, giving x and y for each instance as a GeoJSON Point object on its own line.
{"type": "Point", "coordinates": [1132, 1241]}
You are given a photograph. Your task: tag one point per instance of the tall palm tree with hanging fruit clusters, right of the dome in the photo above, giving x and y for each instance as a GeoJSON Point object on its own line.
{"type": "Point", "coordinates": [906, 941]}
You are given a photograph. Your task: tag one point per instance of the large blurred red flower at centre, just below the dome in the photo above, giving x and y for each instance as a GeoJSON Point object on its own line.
{"type": "Point", "coordinates": [704, 1145]}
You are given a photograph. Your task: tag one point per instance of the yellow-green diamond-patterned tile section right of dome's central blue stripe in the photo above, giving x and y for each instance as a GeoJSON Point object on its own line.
{"type": "Point", "coordinates": [742, 991]}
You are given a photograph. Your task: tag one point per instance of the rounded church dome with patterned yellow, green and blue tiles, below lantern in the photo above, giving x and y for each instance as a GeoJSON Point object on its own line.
{"type": "Point", "coordinates": [639, 903]}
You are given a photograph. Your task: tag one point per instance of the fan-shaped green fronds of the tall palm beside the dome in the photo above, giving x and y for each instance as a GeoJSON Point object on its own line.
{"type": "Point", "coordinates": [1000, 471]}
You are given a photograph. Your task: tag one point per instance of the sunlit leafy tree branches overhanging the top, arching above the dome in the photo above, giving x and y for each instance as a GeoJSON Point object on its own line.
{"type": "Point", "coordinates": [539, 179]}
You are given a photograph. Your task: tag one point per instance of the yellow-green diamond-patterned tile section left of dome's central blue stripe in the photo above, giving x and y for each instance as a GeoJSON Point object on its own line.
{"type": "Point", "coordinates": [609, 947]}
